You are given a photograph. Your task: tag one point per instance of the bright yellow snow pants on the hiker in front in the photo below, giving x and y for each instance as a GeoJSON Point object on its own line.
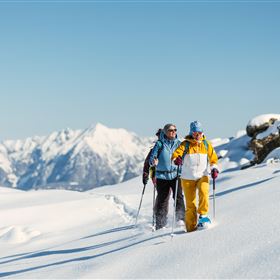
{"type": "Point", "coordinates": [190, 187]}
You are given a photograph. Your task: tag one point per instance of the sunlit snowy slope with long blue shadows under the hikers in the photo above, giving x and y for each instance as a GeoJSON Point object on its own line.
{"type": "Point", "coordinates": [61, 234]}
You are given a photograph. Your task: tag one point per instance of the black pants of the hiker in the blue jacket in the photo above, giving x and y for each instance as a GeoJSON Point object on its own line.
{"type": "Point", "coordinates": [164, 188]}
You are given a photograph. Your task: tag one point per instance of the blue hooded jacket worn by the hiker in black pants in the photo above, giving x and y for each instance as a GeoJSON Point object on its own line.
{"type": "Point", "coordinates": [165, 169]}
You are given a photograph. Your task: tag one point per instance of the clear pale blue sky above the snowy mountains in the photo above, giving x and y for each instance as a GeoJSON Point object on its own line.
{"type": "Point", "coordinates": [137, 65]}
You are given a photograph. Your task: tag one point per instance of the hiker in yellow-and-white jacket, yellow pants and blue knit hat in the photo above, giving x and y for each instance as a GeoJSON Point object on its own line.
{"type": "Point", "coordinates": [197, 157]}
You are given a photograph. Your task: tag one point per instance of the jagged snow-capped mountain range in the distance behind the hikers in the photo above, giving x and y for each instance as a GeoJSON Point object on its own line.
{"type": "Point", "coordinates": [75, 159]}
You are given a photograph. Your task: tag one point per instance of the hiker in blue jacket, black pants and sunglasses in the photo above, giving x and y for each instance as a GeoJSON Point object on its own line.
{"type": "Point", "coordinates": [166, 176]}
